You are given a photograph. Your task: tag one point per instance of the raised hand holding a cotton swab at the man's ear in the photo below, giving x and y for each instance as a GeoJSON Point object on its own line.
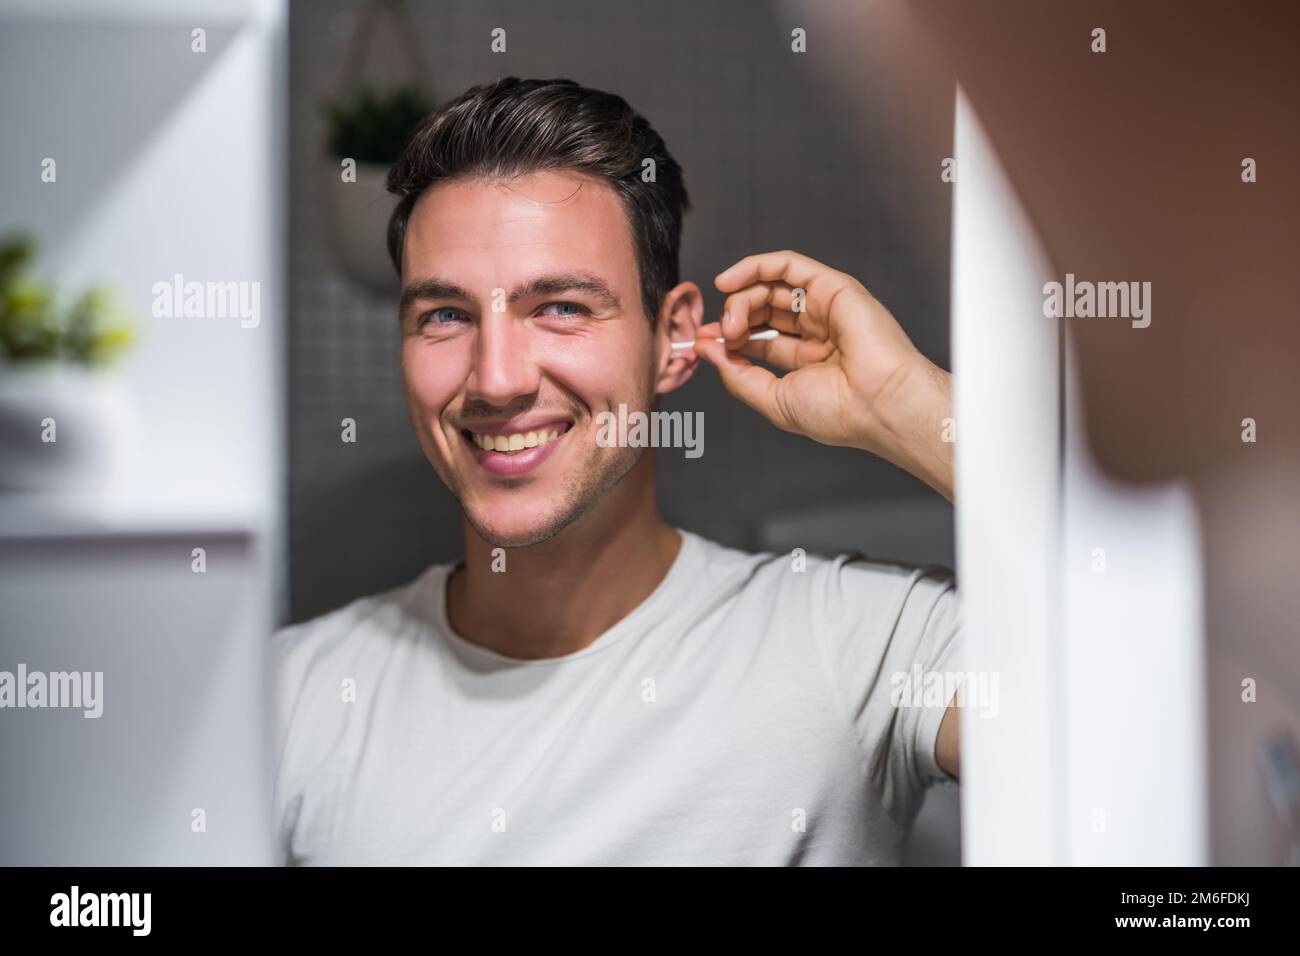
{"type": "Point", "coordinates": [852, 375]}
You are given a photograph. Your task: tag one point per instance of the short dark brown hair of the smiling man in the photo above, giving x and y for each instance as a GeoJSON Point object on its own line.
{"type": "Point", "coordinates": [519, 127]}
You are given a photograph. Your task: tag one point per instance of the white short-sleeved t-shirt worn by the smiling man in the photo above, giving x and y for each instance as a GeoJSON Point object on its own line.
{"type": "Point", "coordinates": [743, 715]}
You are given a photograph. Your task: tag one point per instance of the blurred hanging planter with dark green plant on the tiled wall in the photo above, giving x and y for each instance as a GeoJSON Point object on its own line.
{"type": "Point", "coordinates": [366, 131]}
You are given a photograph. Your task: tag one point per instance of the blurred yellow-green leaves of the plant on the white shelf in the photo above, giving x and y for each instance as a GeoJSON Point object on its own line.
{"type": "Point", "coordinates": [36, 325]}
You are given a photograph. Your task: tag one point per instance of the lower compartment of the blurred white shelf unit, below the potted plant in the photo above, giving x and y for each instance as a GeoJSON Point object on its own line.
{"type": "Point", "coordinates": [184, 724]}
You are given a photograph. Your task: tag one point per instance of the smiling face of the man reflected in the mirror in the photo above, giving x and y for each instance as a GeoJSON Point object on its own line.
{"type": "Point", "coordinates": [522, 322]}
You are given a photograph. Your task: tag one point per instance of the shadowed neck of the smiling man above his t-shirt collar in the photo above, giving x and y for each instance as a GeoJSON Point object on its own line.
{"type": "Point", "coordinates": [558, 596]}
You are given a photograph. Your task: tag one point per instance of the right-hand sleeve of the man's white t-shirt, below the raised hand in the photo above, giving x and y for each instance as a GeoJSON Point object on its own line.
{"type": "Point", "coordinates": [891, 638]}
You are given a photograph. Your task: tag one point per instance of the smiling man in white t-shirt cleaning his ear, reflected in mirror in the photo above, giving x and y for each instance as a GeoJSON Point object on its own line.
{"type": "Point", "coordinates": [591, 685]}
